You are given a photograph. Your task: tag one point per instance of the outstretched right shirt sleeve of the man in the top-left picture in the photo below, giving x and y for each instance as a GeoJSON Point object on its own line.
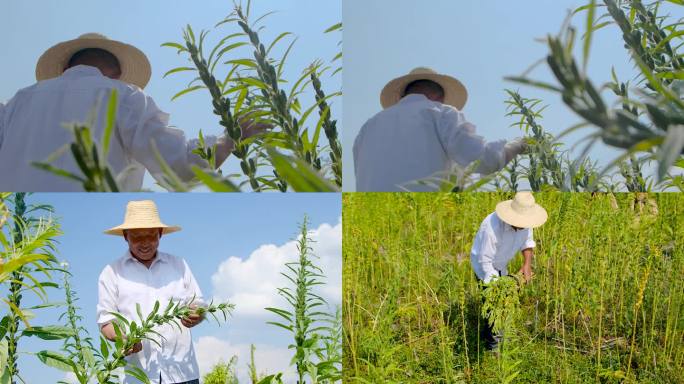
{"type": "Point", "coordinates": [143, 123]}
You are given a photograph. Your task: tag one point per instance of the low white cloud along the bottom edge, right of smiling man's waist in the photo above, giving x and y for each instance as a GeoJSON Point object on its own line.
{"type": "Point", "coordinates": [268, 359]}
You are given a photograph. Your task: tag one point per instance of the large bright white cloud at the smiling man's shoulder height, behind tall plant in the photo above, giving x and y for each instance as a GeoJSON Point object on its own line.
{"type": "Point", "coordinates": [251, 283]}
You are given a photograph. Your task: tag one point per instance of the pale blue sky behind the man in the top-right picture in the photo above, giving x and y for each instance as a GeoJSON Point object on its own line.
{"type": "Point", "coordinates": [478, 42]}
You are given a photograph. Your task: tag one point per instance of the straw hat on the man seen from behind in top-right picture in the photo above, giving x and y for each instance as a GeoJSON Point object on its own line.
{"type": "Point", "coordinates": [455, 93]}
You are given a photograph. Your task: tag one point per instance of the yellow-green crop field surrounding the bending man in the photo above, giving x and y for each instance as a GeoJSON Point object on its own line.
{"type": "Point", "coordinates": [605, 304]}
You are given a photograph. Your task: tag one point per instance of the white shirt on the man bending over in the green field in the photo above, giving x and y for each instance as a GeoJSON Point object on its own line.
{"type": "Point", "coordinates": [495, 245]}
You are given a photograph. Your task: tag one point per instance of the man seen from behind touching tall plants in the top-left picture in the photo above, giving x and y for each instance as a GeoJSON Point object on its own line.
{"type": "Point", "coordinates": [75, 79]}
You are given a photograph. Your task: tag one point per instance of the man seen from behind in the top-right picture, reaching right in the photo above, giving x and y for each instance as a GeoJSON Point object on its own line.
{"type": "Point", "coordinates": [421, 132]}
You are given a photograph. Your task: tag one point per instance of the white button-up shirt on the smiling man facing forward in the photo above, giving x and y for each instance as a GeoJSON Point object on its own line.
{"type": "Point", "coordinates": [126, 282]}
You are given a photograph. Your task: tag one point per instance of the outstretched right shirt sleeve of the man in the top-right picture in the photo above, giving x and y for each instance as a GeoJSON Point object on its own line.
{"type": "Point", "coordinates": [463, 145]}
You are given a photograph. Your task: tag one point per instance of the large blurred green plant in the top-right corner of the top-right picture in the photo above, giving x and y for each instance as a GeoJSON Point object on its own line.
{"type": "Point", "coordinates": [647, 118]}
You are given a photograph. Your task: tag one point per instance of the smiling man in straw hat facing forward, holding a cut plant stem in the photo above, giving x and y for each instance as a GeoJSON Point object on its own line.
{"type": "Point", "coordinates": [142, 276]}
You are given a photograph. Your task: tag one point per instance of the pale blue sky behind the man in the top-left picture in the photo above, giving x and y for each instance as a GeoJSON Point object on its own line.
{"type": "Point", "coordinates": [29, 27]}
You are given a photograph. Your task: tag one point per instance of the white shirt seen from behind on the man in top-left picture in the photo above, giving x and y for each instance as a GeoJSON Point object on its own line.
{"type": "Point", "coordinates": [31, 129]}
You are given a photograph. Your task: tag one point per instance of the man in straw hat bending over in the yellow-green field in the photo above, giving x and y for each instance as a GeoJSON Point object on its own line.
{"type": "Point", "coordinates": [501, 235]}
